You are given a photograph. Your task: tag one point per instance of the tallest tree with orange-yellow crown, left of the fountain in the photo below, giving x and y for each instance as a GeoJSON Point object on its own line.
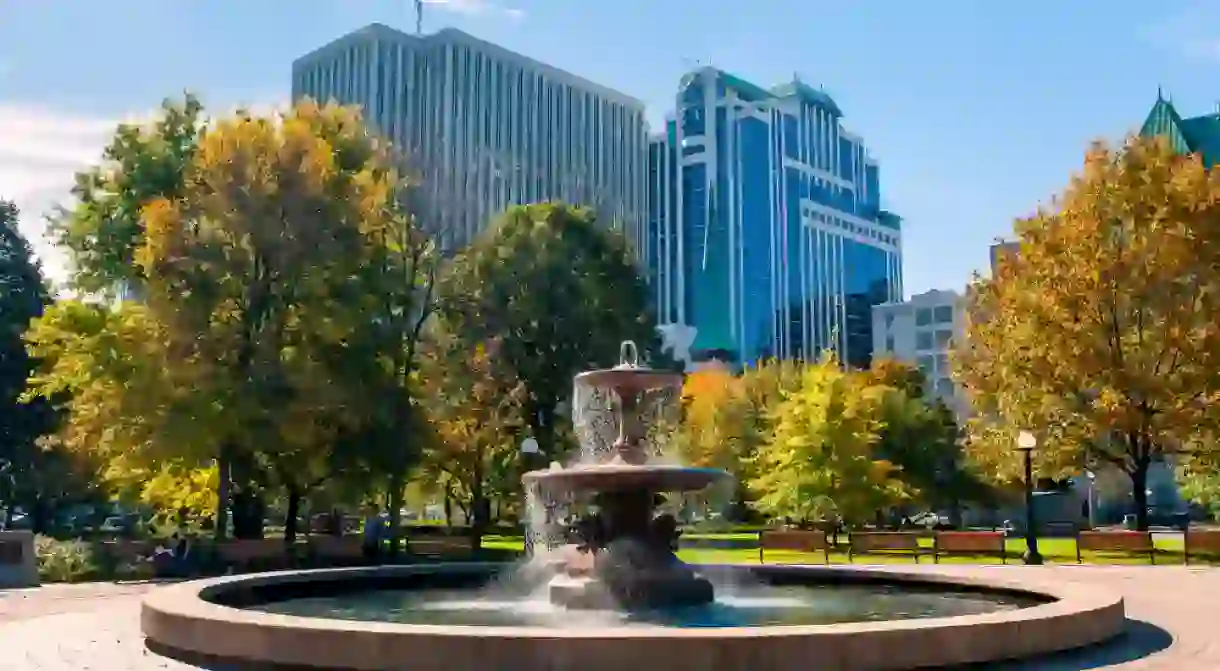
{"type": "Point", "coordinates": [256, 273]}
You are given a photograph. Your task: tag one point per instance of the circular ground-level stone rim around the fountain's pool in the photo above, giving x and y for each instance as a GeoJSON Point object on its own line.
{"type": "Point", "coordinates": [186, 622]}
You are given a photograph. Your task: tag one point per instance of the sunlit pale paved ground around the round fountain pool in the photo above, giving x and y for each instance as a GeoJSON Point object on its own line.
{"type": "Point", "coordinates": [1173, 614]}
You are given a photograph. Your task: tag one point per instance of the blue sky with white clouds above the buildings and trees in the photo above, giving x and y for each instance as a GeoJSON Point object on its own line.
{"type": "Point", "coordinates": [977, 110]}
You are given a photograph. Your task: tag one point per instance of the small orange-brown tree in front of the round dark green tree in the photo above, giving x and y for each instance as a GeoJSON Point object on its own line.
{"type": "Point", "coordinates": [475, 406]}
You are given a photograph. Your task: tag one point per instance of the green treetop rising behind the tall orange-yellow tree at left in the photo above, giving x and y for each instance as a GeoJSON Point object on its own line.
{"type": "Point", "coordinates": [142, 164]}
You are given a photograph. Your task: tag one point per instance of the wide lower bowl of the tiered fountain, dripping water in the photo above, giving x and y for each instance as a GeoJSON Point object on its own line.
{"type": "Point", "coordinates": [615, 478]}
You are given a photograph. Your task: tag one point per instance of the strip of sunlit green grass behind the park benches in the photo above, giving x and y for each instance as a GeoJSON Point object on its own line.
{"type": "Point", "coordinates": [1055, 551]}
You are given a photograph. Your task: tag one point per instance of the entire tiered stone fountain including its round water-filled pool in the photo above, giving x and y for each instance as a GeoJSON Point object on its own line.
{"type": "Point", "coordinates": [609, 592]}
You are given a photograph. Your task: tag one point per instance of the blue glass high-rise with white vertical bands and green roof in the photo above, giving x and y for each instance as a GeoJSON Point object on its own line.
{"type": "Point", "coordinates": [766, 230]}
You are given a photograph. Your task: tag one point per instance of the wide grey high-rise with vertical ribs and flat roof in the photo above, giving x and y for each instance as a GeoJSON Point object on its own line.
{"type": "Point", "coordinates": [486, 127]}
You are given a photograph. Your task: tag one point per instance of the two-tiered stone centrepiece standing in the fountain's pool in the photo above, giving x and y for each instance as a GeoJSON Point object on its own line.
{"type": "Point", "coordinates": [625, 556]}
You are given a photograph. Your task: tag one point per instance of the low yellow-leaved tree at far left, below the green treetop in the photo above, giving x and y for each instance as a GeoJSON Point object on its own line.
{"type": "Point", "coordinates": [107, 373]}
